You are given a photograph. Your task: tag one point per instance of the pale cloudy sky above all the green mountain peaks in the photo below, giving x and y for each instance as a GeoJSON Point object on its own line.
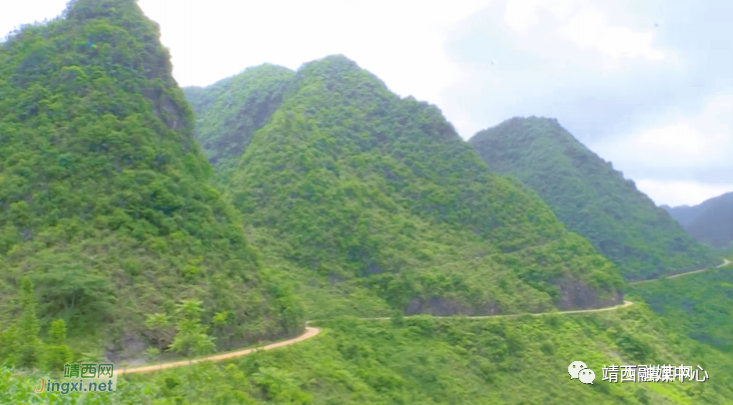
{"type": "Point", "coordinates": [646, 84]}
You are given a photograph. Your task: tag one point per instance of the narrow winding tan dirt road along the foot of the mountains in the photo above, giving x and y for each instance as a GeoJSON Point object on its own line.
{"type": "Point", "coordinates": [311, 332]}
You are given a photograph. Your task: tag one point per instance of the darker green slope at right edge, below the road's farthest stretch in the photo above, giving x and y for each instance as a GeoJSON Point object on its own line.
{"type": "Point", "coordinates": [699, 305]}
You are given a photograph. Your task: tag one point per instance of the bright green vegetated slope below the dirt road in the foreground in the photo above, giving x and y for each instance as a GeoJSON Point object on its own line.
{"type": "Point", "coordinates": [426, 360]}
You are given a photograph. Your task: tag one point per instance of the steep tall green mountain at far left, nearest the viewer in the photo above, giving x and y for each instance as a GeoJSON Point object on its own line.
{"type": "Point", "coordinates": [105, 200]}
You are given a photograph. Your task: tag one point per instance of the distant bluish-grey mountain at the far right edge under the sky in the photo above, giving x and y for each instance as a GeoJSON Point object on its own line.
{"type": "Point", "coordinates": [710, 222]}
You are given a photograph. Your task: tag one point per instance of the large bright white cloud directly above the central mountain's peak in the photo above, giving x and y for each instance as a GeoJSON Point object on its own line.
{"type": "Point", "coordinates": [401, 42]}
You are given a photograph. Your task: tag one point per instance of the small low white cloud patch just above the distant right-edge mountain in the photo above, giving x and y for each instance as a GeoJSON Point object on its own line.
{"type": "Point", "coordinates": [674, 193]}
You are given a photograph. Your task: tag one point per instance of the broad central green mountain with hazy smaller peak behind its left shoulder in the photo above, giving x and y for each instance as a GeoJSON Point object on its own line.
{"type": "Point", "coordinates": [374, 203]}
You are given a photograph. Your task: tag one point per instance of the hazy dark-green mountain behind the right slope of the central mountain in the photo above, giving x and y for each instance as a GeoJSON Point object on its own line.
{"type": "Point", "coordinates": [591, 198]}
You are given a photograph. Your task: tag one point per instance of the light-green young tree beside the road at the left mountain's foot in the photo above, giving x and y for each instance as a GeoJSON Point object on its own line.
{"type": "Point", "coordinates": [191, 337]}
